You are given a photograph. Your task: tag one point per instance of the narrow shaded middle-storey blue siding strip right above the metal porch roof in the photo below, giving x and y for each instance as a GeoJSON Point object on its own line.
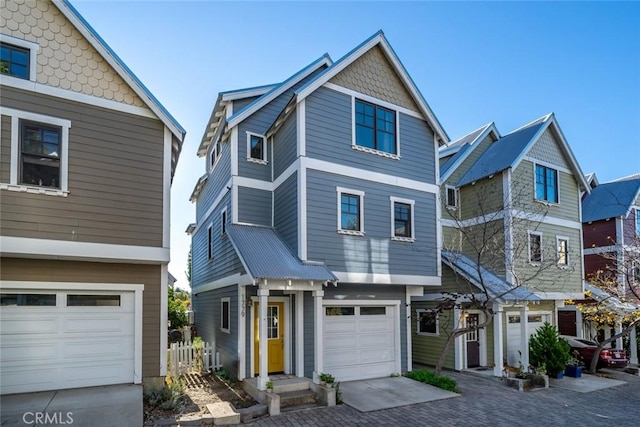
{"type": "Point", "coordinates": [286, 211]}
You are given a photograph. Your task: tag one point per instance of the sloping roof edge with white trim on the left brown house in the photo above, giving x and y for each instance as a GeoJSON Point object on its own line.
{"type": "Point", "coordinates": [127, 75]}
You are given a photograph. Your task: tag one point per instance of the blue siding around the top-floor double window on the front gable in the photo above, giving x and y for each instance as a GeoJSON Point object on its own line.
{"type": "Point", "coordinates": [328, 137]}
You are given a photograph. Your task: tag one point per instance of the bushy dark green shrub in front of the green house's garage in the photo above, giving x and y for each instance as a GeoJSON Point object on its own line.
{"type": "Point", "coordinates": [546, 347]}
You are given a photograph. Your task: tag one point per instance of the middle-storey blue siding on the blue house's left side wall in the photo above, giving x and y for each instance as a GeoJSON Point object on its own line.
{"type": "Point", "coordinates": [225, 261]}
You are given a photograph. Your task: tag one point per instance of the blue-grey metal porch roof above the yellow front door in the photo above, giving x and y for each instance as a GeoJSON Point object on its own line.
{"type": "Point", "coordinates": [264, 255]}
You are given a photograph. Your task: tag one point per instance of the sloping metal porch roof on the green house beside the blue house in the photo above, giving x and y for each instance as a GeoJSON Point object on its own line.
{"type": "Point", "coordinates": [496, 287]}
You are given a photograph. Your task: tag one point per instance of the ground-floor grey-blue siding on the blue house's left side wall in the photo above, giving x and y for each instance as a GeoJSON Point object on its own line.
{"type": "Point", "coordinates": [207, 312]}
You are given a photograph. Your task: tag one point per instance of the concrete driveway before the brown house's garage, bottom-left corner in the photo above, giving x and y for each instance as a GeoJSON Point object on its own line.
{"type": "Point", "coordinates": [108, 406]}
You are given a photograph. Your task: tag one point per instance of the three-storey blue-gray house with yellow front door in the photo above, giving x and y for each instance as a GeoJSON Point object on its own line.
{"type": "Point", "coordinates": [316, 220]}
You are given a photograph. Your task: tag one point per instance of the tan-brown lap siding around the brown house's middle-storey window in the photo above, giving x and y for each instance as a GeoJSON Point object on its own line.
{"type": "Point", "coordinates": [115, 164]}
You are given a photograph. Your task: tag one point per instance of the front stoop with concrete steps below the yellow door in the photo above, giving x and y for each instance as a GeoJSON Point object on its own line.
{"type": "Point", "coordinates": [290, 393]}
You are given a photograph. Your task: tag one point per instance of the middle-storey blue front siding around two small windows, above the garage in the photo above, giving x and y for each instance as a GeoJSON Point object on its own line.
{"type": "Point", "coordinates": [375, 252]}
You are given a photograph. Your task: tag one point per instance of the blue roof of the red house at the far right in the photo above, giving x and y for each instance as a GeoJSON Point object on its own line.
{"type": "Point", "coordinates": [610, 200]}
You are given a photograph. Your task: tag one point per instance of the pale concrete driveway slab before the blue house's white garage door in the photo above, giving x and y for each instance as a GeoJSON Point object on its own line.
{"type": "Point", "coordinates": [389, 392]}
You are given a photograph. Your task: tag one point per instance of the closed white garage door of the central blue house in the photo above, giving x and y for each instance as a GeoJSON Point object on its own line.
{"type": "Point", "coordinates": [360, 341]}
